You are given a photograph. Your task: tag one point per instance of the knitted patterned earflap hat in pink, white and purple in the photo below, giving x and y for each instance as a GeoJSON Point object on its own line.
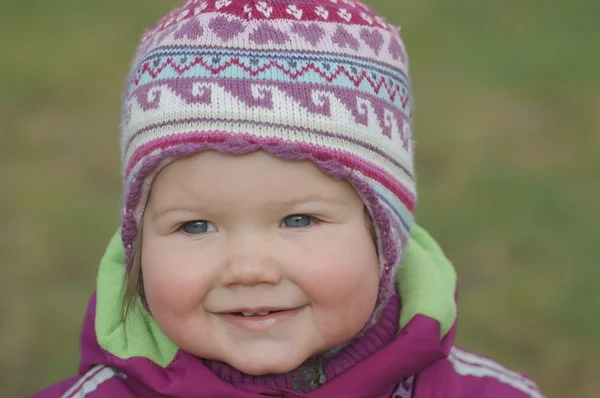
{"type": "Point", "coordinates": [324, 80]}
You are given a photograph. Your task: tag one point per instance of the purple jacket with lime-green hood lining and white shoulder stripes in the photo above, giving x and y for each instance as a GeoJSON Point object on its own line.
{"type": "Point", "coordinates": [137, 360]}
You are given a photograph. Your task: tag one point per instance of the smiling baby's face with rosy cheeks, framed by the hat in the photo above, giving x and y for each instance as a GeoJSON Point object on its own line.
{"type": "Point", "coordinates": [229, 236]}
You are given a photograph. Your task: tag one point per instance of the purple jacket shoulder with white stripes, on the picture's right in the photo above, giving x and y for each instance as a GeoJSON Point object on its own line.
{"type": "Point", "coordinates": [468, 375]}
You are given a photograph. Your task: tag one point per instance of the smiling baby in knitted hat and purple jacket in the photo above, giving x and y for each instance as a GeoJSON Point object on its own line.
{"type": "Point", "coordinates": [268, 244]}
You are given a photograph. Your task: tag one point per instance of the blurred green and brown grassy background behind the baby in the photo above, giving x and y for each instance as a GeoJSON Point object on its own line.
{"type": "Point", "coordinates": [508, 132]}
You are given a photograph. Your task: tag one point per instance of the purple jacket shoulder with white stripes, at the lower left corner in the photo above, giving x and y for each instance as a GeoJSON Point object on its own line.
{"type": "Point", "coordinates": [99, 382]}
